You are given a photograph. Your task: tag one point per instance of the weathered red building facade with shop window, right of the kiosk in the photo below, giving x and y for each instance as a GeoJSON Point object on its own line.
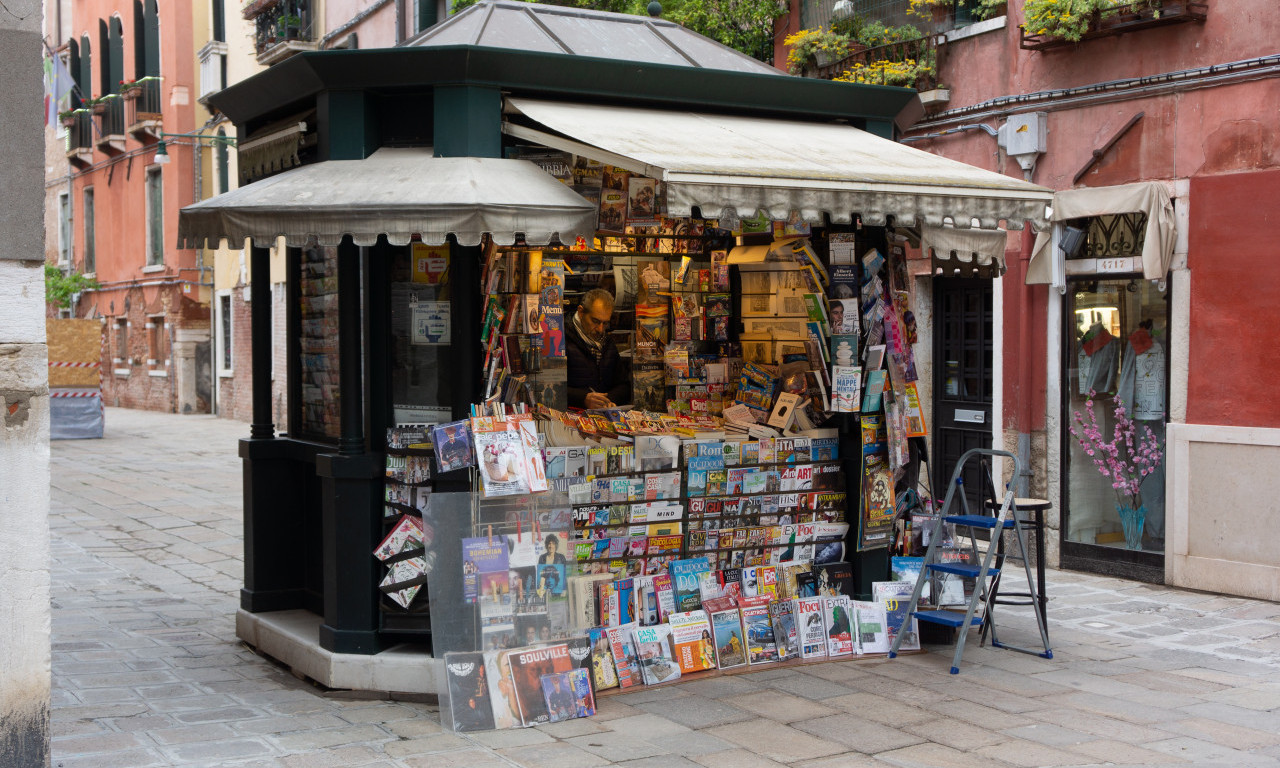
{"type": "Point", "coordinates": [1158, 130]}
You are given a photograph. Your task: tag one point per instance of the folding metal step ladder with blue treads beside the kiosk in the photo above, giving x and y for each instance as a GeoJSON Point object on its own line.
{"type": "Point", "coordinates": [980, 568]}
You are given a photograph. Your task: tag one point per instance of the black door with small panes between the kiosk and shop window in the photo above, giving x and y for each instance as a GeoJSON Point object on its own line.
{"type": "Point", "coordinates": [962, 381]}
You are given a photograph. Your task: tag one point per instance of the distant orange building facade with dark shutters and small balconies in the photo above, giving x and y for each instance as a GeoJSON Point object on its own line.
{"type": "Point", "coordinates": [135, 86]}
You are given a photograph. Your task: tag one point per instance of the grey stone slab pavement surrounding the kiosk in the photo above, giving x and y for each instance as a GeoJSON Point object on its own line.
{"type": "Point", "coordinates": [148, 671]}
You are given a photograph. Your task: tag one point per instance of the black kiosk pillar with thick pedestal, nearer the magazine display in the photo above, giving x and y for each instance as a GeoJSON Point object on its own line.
{"type": "Point", "coordinates": [351, 514]}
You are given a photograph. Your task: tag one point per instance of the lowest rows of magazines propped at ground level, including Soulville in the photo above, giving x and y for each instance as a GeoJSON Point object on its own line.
{"type": "Point", "coordinates": [657, 629]}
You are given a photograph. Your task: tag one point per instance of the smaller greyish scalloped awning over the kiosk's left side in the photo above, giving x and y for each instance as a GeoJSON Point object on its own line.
{"type": "Point", "coordinates": [399, 193]}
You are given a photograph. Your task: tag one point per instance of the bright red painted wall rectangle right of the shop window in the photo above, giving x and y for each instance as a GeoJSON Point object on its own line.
{"type": "Point", "coordinates": [1235, 259]}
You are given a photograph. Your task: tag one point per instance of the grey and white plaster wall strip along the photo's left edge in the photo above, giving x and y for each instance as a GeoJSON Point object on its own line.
{"type": "Point", "coordinates": [25, 611]}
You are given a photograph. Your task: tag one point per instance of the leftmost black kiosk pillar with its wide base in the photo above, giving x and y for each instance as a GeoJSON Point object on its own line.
{"type": "Point", "coordinates": [272, 580]}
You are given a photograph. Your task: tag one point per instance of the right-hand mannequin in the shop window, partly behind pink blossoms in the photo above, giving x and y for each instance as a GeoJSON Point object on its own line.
{"type": "Point", "coordinates": [1142, 392]}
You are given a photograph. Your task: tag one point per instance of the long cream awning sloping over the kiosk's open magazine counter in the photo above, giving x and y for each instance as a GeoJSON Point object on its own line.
{"type": "Point", "coordinates": [749, 164]}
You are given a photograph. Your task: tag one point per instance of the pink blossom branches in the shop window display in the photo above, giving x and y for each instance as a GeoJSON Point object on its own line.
{"type": "Point", "coordinates": [1127, 459]}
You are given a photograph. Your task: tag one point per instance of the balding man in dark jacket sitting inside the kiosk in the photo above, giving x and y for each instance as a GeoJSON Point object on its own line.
{"type": "Point", "coordinates": [597, 376]}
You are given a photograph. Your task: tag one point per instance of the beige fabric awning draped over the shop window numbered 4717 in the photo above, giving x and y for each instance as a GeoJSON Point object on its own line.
{"type": "Point", "coordinates": [1149, 198]}
